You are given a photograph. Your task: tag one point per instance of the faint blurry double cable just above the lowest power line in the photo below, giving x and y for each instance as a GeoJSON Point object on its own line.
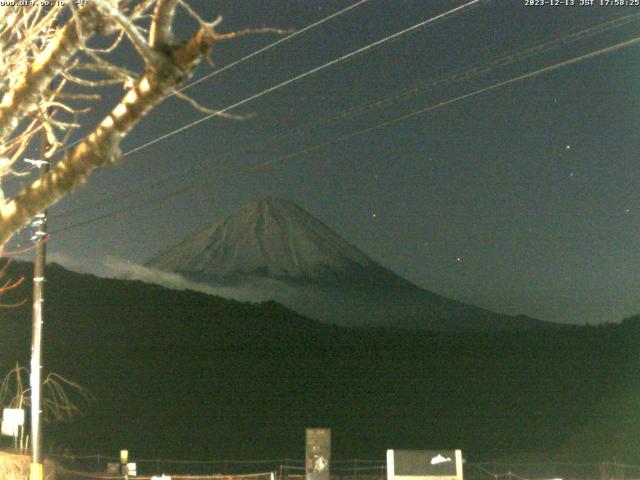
{"type": "Point", "coordinates": [402, 95]}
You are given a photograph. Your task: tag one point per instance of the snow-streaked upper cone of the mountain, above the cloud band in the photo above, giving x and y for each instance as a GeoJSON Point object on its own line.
{"type": "Point", "coordinates": [271, 238]}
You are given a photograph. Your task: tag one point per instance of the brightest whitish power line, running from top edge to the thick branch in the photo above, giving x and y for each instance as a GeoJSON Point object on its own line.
{"type": "Point", "coordinates": [454, 11]}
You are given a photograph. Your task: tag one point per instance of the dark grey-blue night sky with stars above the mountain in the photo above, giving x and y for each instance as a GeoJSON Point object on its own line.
{"type": "Point", "coordinates": [522, 199]}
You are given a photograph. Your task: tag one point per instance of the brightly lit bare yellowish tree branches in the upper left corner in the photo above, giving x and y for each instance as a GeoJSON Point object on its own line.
{"type": "Point", "coordinates": [52, 63]}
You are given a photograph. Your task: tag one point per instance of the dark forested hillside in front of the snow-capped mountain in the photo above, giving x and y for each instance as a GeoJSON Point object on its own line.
{"type": "Point", "coordinates": [183, 374]}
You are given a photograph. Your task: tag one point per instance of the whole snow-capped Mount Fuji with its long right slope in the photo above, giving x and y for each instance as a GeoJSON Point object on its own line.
{"type": "Point", "coordinates": [276, 250]}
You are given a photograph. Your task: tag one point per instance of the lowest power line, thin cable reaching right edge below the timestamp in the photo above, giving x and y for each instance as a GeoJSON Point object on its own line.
{"type": "Point", "coordinates": [263, 165]}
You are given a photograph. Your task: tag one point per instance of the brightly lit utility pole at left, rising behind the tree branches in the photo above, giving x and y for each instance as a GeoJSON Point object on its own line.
{"type": "Point", "coordinates": [40, 232]}
